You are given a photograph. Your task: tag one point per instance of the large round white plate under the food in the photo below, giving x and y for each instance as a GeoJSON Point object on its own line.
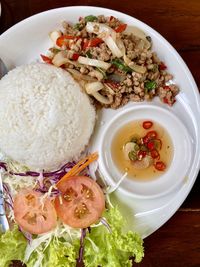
{"type": "Point", "coordinates": [25, 41]}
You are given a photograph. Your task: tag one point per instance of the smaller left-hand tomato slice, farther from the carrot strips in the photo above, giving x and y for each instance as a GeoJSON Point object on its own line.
{"type": "Point", "coordinates": [33, 214]}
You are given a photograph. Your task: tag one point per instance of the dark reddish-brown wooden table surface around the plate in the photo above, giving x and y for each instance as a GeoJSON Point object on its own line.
{"type": "Point", "coordinates": [177, 243]}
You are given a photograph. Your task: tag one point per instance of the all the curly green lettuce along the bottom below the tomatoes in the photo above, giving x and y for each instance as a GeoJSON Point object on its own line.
{"type": "Point", "coordinates": [101, 247]}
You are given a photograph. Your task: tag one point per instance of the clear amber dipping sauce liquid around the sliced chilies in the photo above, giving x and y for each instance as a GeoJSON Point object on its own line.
{"type": "Point", "coordinates": [136, 129]}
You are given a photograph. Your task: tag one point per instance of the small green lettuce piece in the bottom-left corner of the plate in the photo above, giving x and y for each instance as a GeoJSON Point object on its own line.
{"type": "Point", "coordinates": [12, 247]}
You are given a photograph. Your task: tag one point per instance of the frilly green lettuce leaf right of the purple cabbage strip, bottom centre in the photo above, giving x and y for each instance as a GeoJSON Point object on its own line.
{"type": "Point", "coordinates": [106, 249]}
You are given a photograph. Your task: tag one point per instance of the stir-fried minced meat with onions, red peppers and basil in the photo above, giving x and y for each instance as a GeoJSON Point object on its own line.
{"type": "Point", "coordinates": [99, 47]}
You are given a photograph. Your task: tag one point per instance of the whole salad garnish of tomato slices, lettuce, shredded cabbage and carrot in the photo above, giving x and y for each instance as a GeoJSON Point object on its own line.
{"type": "Point", "coordinates": [88, 223]}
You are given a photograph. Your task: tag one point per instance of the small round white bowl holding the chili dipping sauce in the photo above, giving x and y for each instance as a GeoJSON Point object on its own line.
{"type": "Point", "coordinates": [181, 156]}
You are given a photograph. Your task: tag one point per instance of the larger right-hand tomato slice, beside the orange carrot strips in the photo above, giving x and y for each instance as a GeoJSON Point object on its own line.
{"type": "Point", "coordinates": [82, 202]}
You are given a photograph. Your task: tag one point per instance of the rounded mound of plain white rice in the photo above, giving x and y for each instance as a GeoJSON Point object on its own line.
{"type": "Point", "coordinates": [45, 119]}
